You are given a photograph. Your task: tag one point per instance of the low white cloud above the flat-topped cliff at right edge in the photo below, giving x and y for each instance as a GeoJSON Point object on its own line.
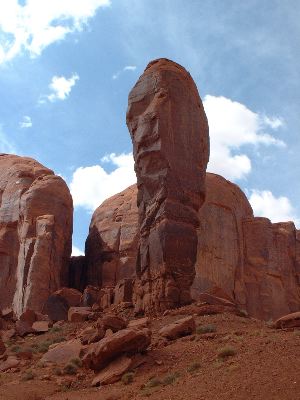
{"type": "Point", "coordinates": [277, 209]}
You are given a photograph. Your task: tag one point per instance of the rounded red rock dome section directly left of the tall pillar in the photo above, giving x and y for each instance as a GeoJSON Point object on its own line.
{"type": "Point", "coordinates": [112, 240]}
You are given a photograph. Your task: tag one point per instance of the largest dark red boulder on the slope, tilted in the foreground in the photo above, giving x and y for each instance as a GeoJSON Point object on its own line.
{"type": "Point", "coordinates": [126, 341]}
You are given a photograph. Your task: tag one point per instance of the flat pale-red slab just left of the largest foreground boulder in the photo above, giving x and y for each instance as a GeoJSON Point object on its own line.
{"type": "Point", "coordinates": [63, 352]}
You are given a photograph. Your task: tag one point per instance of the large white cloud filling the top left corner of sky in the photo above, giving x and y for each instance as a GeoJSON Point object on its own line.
{"type": "Point", "coordinates": [38, 23]}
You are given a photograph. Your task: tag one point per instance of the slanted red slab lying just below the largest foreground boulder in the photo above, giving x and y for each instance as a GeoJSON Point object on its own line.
{"type": "Point", "coordinates": [113, 372]}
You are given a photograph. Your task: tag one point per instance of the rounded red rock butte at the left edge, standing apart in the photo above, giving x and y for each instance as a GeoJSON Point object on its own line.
{"type": "Point", "coordinates": [35, 233]}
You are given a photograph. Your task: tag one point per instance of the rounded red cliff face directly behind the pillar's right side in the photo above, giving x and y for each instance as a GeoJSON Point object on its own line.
{"type": "Point", "coordinates": [220, 260]}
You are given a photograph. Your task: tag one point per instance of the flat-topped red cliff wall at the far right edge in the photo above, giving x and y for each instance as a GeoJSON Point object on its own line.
{"type": "Point", "coordinates": [270, 269]}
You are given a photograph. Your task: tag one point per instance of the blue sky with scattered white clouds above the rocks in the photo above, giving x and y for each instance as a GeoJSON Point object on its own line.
{"type": "Point", "coordinates": [67, 66]}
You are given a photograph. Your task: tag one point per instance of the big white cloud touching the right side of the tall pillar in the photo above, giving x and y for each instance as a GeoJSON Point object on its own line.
{"type": "Point", "coordinates": [231, 126]}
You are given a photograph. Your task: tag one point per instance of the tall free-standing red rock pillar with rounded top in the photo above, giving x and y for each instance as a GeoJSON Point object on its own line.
{"type": "Point", "coordinates": [169, 131]}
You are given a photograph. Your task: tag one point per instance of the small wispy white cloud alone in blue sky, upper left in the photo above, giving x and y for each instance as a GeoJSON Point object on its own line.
{"type": "Point", "coordinates": [60, 87]}
